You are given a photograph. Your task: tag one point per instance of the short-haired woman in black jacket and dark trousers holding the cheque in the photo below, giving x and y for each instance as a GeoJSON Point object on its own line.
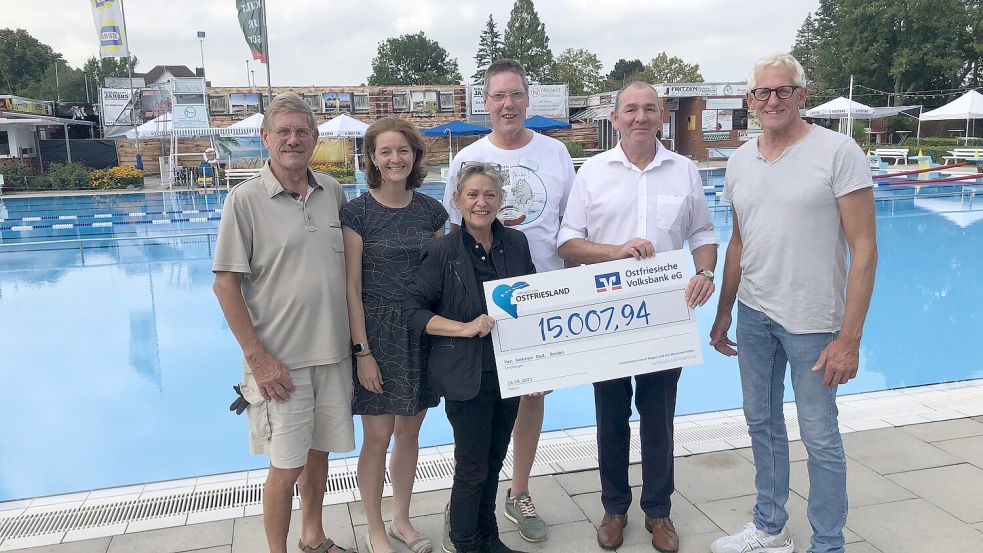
{"type": "Point", "coordinates": [447, 301]}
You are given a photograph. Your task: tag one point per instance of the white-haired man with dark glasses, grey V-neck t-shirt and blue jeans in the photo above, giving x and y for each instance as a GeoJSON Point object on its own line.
{"type": "Point", "coordinates": [802, 202]}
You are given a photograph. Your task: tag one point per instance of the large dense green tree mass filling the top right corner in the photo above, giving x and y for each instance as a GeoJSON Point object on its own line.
{"type": "Point", "coordinates": [899, 46]}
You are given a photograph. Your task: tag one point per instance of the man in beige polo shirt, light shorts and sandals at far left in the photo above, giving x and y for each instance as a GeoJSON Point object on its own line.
{"type": "Point", "coordinates": [280, 279]}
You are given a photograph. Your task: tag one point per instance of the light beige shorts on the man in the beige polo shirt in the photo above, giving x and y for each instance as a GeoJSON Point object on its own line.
{"type": "Point", "coordinates": [318, 415]}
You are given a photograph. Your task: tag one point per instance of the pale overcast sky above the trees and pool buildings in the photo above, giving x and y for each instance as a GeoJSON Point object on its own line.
{"type": "Point", "coordinates": [332, 42]}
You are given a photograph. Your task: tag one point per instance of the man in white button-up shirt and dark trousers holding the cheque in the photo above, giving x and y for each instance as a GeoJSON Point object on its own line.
{"type": "Point", "coordinates": [633, 201]}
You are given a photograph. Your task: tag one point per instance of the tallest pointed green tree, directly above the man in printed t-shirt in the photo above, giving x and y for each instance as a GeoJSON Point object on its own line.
{"type": "Point", "coordinates": [526, 41]}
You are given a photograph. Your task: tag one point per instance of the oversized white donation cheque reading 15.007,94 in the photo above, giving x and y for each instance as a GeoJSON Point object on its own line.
{"type": "Point", "coordinates": [592, 323]}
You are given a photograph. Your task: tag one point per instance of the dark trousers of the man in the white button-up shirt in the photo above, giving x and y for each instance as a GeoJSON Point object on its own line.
{"type": "Point", "coordinates": [655, 400]}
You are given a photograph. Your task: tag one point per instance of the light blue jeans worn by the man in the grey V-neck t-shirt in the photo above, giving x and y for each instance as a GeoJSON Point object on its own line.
{"type": "Point", "coordinates": [764, 349]}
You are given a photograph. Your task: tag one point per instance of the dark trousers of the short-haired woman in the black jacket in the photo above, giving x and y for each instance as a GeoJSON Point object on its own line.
{"type": "Point", "coordinates": [482, 428]}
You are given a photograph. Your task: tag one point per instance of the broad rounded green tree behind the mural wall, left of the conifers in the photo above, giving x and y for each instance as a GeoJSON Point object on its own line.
{"type": "Point", "coordinates": [413, 59]}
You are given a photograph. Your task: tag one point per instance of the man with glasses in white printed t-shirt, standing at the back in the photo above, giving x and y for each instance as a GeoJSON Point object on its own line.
{"type": "Point", "coordinates": [540, 174]}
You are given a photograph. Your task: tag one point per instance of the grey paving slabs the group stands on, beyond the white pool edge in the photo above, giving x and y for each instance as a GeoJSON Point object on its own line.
{"type": "Point", "coordinates": [912, 489]}
